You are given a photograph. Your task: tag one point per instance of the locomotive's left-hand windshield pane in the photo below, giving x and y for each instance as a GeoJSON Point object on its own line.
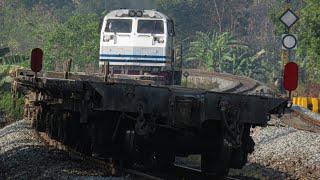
{"type": "Point", "coordinates": [119, 25]}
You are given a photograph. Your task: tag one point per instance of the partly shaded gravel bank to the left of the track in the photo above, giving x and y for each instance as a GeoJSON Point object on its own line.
{"type": "Point", "coordinates": [24, 156]}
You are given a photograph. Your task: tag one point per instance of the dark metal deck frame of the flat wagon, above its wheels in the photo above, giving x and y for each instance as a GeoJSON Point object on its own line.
{"type": "Point", "coordinates": [186, 106]}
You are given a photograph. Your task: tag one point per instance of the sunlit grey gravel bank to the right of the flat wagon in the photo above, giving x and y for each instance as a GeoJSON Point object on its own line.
{"type": "Point", "coordinates": [288, 152]}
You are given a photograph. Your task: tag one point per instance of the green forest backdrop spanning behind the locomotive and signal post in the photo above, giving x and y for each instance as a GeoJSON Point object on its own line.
{"type": "Point", "coordinates": [239, 37]}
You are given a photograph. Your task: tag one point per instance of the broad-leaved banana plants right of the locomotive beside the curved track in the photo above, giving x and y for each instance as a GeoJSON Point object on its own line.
{"type": "Point", "coordinates": [223, 53]}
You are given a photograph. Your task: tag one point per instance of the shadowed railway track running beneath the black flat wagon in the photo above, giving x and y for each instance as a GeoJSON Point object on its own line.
{"type": "Point", "coordinates": [137, 172]}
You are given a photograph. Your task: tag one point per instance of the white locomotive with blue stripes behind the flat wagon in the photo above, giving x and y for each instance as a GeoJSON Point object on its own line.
{"type": "Point", "coordinates": [137, 42]}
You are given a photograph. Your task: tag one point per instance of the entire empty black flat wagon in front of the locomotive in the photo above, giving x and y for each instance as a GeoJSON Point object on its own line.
{"type": "Point", "coordinates": [140, 119]}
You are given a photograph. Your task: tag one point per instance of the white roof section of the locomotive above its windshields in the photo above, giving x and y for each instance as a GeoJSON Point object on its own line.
{"type": "Point", "coordinates": [146, 13]}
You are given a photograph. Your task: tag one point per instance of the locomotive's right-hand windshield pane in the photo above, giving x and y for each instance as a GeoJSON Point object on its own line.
{"type": "Point", "coordinates": [150, 26]}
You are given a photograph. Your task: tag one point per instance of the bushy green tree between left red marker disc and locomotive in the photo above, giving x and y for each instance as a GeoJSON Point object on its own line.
{"type": "Point", "coordinates": [76, 39]}
